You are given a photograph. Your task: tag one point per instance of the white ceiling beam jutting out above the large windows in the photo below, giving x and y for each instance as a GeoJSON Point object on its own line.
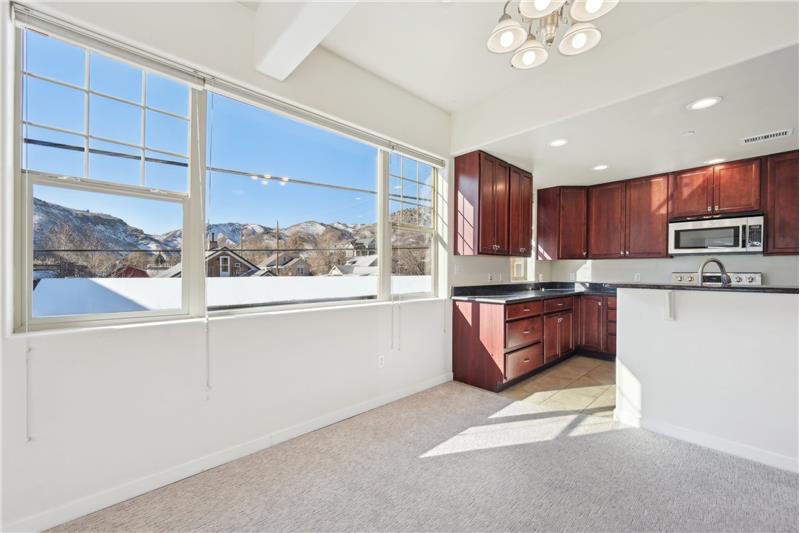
{"type": "Point", "coordinates": [286, 32]}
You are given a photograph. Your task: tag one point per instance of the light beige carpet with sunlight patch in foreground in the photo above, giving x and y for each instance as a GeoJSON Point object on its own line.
{"type": "Point", "coordinates": [456, 458]}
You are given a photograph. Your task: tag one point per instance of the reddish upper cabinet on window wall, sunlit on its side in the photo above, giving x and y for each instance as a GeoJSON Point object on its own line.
{"type": "Point", "coordinates": [493, 207]}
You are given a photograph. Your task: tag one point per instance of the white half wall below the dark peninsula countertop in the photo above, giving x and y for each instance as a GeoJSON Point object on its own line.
{"type": "Point", "coordinates": [722, 374]}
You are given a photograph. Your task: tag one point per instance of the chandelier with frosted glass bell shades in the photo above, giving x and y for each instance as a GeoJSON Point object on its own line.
{"type": "Point", "coordinates": [543, 19]}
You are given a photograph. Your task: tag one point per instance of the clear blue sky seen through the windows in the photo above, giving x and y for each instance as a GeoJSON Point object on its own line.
{"type": "Point", "coordinates": [240, 137]}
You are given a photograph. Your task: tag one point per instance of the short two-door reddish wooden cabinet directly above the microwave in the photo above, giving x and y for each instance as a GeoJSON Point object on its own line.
{"type": "Point", "coordinates": [722, 189]}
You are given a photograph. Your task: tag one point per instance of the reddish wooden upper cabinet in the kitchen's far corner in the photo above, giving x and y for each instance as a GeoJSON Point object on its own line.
{"type": "Point", "coordinates": [561, 223]}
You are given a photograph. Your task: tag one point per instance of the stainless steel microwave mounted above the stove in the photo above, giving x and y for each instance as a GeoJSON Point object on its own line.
{"type": "Point", "coordinates": [718, 236]}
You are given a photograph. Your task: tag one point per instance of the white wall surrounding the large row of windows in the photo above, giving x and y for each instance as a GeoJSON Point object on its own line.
{"type": "Point", "coordinates": [118, 411]}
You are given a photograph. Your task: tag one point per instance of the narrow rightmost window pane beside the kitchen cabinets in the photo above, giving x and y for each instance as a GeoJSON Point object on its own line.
{"type": "Point", "coordinates": [411, 212]}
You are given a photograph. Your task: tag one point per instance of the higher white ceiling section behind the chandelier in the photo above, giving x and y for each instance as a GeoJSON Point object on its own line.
{"type": "Point", "coordinates": [437, 49]}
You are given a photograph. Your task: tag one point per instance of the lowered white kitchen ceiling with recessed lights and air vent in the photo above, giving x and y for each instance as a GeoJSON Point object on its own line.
{"type": "Point", "coordinates": [645, 135]}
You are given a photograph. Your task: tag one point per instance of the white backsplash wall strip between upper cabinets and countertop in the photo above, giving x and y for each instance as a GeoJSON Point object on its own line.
{"type": "Point", "coordinates": [778, 270]}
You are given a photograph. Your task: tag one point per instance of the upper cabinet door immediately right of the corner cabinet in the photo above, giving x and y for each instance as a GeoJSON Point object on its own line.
{"type": "Point", "coordinates": [607, 220]}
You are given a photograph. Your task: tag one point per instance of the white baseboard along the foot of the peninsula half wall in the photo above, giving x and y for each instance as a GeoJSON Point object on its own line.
{"type": "Point", "coordinates": [784, 462]}
